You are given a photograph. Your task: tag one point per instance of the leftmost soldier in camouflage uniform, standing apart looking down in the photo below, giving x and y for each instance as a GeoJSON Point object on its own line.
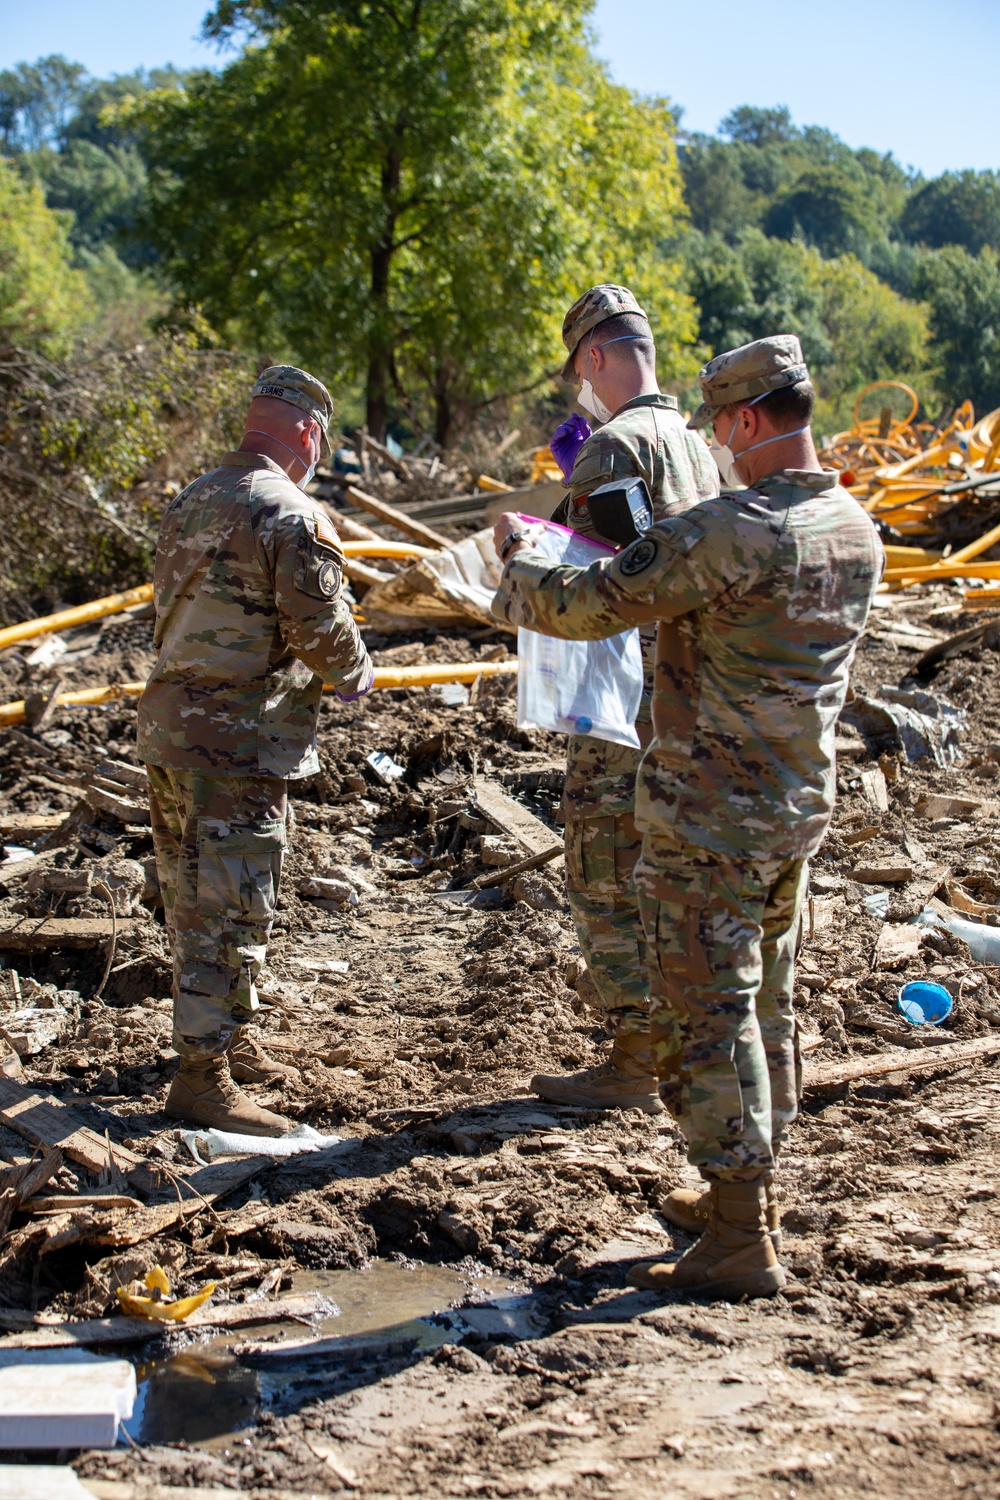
{"type": "Point", "coordinates": [251, 620]}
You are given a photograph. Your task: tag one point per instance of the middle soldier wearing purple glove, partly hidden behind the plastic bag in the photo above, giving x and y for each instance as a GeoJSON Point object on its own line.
{"type": "Point", "coordinates": [611, 350]}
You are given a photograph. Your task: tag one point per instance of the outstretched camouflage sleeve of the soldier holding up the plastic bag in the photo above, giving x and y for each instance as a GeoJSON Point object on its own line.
{"type": "Point", "coordinates": [669, 572]}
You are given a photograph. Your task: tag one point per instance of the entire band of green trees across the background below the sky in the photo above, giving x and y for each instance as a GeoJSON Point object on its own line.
{"type": "Point", "coordinates": [409, 194]}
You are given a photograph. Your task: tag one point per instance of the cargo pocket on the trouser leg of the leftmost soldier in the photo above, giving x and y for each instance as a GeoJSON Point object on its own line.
{"type": "Point", "coordinates": [239, 871]}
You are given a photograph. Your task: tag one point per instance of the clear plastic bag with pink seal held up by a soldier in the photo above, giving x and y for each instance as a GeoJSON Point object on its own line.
{"type": "Point", "coordinates": [579, 688]}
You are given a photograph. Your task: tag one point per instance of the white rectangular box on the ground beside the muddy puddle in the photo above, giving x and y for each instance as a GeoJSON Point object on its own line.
{"type": "Point", "coordinates": [62, 1399]}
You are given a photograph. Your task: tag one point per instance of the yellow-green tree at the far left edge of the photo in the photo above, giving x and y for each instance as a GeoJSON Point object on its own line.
{"type": "Point", "coordinates": [43, 299]}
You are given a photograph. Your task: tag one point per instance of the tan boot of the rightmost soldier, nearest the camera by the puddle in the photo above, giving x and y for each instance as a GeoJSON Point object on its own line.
{"type": "Point", "coordinates": [732, 1259]}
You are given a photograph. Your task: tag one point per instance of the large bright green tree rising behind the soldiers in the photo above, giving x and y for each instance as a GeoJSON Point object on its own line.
{"type": "Point", "coordinates": [412, 193]}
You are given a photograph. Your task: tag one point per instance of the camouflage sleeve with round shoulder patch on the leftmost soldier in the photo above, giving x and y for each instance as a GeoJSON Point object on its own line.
{"type": "Point", "coordinates": [316, 619]}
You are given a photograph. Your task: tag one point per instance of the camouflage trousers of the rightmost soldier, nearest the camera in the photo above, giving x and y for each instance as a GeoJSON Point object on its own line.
{"type": "Point", "coordinates": [722, 940]}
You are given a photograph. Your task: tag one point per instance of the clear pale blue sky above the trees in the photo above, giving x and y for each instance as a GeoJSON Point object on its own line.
{"type": "Point", "coordinates": [909, 77]}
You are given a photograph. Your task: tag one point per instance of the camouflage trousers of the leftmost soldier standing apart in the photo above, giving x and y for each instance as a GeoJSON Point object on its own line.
{"type": "Point", "coordinates": [220, 844]}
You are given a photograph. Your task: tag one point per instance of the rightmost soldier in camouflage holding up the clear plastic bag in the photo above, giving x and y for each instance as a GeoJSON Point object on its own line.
{"type": "Point", "coordinates": [761, 598]}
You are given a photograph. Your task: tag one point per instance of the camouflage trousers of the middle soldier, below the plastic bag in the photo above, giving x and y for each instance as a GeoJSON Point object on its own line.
{"type": "Point", "coordinates": [602, 848]}
